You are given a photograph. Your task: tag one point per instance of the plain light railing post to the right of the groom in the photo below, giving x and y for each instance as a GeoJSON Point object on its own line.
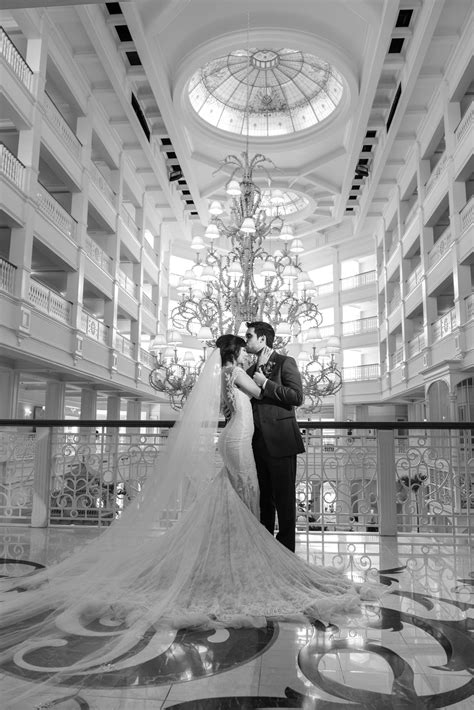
{"type": "Point", "coordinates": [386, 482]}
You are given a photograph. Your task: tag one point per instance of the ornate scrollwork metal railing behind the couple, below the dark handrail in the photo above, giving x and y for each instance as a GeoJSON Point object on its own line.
{"type": "Point", "coordinates": [357, 477]}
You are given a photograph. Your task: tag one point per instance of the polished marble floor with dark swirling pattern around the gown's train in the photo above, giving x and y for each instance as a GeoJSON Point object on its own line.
{"type": "Point", "coordinates": [413, 650]}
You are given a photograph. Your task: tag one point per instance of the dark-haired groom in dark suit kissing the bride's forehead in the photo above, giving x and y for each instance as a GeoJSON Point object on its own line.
{"type": "Point", "coordinates": [277, 437]}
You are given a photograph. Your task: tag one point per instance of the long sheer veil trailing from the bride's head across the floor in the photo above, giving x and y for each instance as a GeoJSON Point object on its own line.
{"type": "Point", "coordinates": [111, 578]}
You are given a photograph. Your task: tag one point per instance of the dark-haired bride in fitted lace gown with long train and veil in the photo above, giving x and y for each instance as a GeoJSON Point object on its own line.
{"type": "Point", "coordinates": [188, 551]}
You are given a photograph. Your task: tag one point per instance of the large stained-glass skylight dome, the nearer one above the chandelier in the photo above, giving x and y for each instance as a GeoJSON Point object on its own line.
{"type": "Point", "coordinates": [285, 90]}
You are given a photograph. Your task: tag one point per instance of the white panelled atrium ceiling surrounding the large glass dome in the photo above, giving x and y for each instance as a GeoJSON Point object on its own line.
{"type": "Point", "coordinates": [390, 53]}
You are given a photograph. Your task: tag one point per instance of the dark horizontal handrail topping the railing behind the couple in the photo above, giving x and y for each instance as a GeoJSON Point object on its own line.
{"type": "Point", "coordinates": [168, 423]}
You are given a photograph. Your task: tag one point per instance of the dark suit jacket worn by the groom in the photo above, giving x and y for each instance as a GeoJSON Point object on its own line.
{"type": "Point", "coordinates": [274, 414]}
